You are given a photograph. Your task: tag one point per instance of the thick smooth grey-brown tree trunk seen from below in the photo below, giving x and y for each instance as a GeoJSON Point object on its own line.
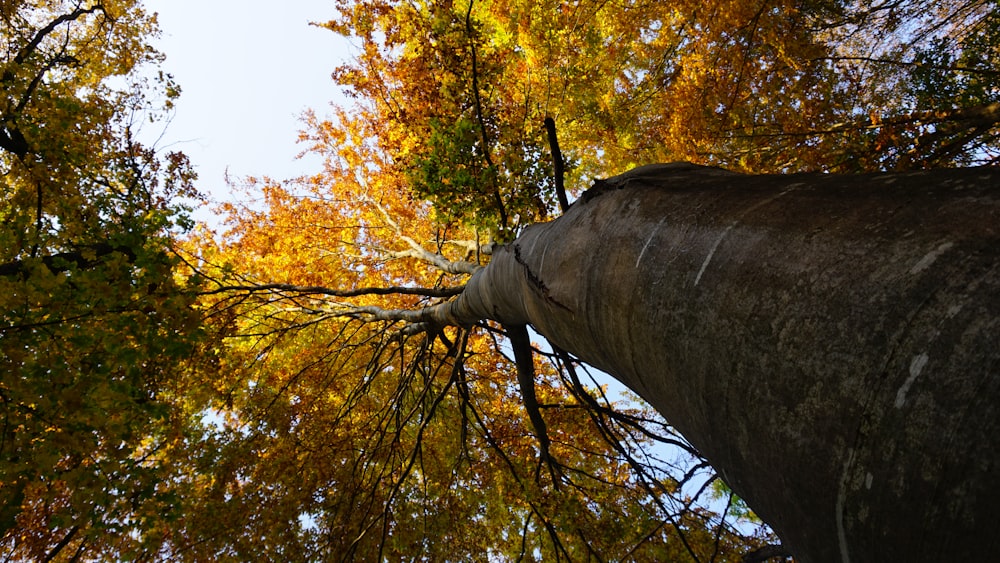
{"type": "Point", "coordinates": [830, 343]}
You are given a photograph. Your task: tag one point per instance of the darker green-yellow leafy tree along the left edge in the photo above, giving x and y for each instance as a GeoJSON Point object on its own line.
{"type": "Point", "coordinates": [94, 326]}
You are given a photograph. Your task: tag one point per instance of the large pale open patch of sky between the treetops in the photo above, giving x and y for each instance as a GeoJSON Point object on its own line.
{"type": "Point", "coordinates": [247, 69]}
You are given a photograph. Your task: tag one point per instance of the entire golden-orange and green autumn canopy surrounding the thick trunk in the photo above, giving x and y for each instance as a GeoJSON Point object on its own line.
{"type": "Point", "coordinates": [275, 391]}
